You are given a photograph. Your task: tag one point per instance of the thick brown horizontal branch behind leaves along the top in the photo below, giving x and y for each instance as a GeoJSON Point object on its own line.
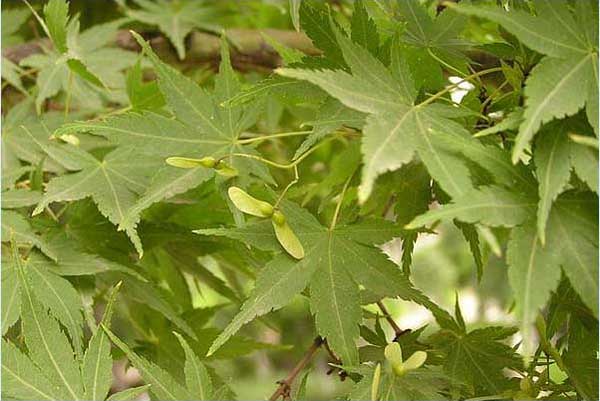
{"type": "Point", "coordinates": [249, 49]}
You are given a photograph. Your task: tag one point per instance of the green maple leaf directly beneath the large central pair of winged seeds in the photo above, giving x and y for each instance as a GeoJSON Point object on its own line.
{"type": "Point", "coordinates": [336, 260]}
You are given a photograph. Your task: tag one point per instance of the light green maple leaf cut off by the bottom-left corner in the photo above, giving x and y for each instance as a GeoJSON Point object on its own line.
{"type": "Point", "coordinates": [63, 376]}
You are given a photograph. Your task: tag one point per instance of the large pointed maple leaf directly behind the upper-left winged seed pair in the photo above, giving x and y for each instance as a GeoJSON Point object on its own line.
{"type": "Point", "coordinates": [202, 128]}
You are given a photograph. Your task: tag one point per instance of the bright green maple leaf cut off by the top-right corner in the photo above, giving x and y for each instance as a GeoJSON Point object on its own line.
{"type": "Point", "coordinates": [566, 79]}
